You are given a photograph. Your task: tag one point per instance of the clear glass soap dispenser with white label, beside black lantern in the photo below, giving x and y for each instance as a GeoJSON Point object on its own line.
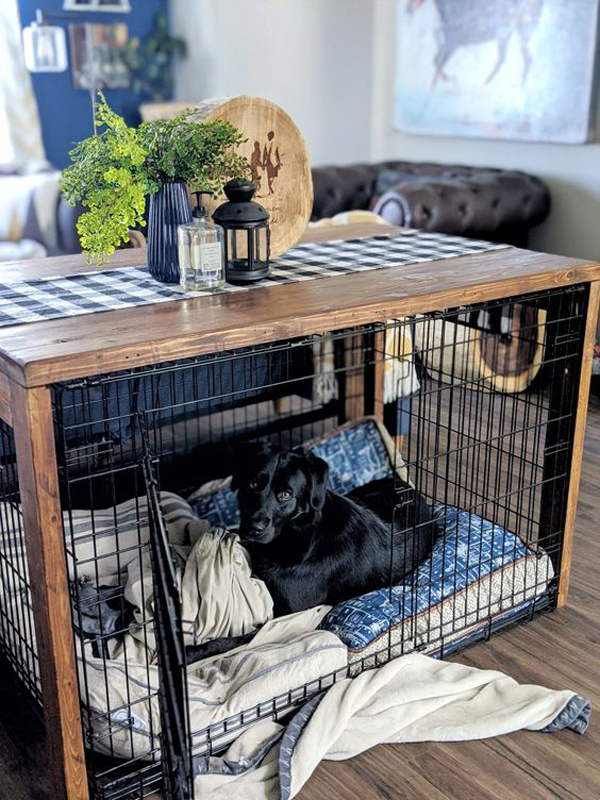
{"type": "Point", "coordinates": [201, 252]}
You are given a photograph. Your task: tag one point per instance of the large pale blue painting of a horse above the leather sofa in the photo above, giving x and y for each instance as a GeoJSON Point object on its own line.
{"type": "Point", "coordinates": [501, 69]}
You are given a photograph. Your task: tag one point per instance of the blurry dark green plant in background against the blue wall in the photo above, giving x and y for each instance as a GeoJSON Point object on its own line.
{"type": "Point", "coordinates": [149, 61]}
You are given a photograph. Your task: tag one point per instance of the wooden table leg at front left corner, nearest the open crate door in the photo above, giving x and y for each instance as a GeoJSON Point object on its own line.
{"type": "Point", "coordinates": [42, 519]}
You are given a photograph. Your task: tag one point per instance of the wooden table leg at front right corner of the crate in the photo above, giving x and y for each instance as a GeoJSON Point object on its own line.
{"type": "Point", "coordinates": [585, 378]}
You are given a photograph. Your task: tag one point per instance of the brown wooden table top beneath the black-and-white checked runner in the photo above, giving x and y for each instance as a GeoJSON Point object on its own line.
{"type": "Point", "coordinates": [40, 353]}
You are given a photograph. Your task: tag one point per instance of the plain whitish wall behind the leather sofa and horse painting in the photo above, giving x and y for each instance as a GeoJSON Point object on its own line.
{"type": "Point", "coordinates": [330, 64]}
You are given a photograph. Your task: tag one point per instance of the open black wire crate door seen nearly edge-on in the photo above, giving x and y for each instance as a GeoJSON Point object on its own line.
{"type": "Point", "coordinates": [173, 690]}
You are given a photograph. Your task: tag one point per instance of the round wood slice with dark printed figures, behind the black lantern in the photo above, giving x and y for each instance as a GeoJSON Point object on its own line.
{"type": "Point", "coordinates": [277, 154]}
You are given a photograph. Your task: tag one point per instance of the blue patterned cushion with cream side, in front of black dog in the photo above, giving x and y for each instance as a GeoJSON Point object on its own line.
{"type": "Point", "coordinates": [477, 570]}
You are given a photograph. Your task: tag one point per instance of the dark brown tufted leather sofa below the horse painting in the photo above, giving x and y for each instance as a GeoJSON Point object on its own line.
{"type": "Point", "coordinates": [492, 204]}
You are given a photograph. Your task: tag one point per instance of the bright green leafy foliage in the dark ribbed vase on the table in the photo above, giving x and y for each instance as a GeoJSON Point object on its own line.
{"type": "Point", "coordinates": [113, 172]}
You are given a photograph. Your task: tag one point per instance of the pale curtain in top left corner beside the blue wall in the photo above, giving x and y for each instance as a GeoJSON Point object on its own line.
{"type": "Point", "coordinates": [20, 132]}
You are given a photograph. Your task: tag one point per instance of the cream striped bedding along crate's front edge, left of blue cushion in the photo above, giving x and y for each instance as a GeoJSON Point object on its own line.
{"type": "Point", "coordinates": [274, 669]}
